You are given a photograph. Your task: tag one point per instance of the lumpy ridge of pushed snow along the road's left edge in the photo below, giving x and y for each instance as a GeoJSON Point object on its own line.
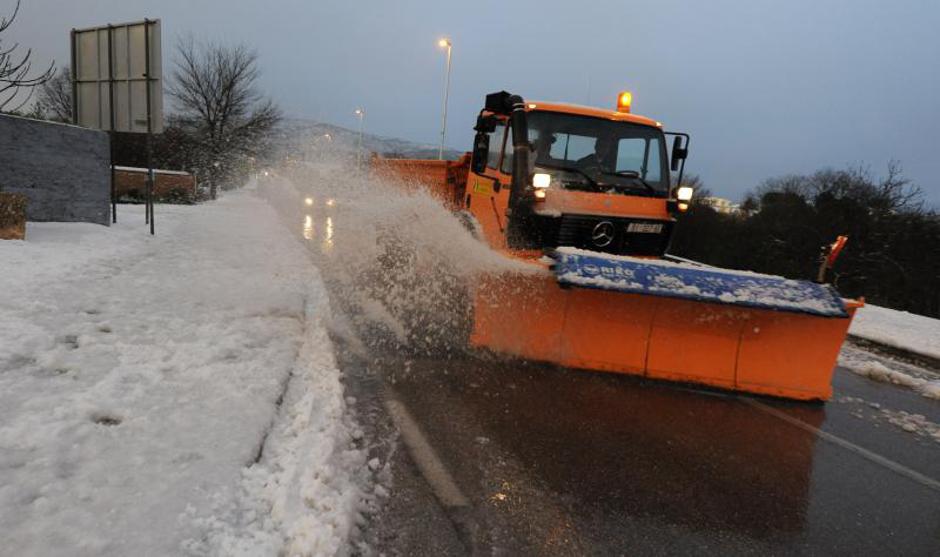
{"type": "Point", "coordinates": [303, 497]}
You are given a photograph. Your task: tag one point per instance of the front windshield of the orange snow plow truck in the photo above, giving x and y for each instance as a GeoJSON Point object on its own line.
{"type": "Point", "coordinates": [599, 155]}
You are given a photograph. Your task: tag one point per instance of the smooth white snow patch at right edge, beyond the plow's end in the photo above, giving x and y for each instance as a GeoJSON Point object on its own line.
{"type": "Point", "coordinates": [906, 331]}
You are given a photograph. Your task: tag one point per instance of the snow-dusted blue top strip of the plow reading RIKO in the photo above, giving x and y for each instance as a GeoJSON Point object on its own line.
{"type": "Point", "coordinates": [693, 282]}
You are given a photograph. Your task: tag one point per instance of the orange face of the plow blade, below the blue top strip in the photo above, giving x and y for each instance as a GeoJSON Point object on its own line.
{"type": "Point", "coordinates": [732, 346]}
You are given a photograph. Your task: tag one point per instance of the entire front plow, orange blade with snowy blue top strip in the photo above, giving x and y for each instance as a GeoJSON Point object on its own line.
{"type": "Point", "coordinates": [737, 331]}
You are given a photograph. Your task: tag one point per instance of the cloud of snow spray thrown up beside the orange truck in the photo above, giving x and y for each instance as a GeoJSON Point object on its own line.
{"type": "Point", "coordinates": [397, 262]}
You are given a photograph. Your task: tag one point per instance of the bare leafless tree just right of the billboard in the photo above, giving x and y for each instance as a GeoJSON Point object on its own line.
{"type": "Point", "coordinates": [214, 87]}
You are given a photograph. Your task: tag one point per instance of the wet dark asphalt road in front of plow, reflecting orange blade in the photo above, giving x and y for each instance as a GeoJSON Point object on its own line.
{"type": "Point", "coordinates": [563, 462]}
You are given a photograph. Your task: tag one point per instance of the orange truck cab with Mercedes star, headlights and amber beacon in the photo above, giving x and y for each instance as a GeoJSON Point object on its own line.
{"type": "Point", "coordinates": [595, 179]}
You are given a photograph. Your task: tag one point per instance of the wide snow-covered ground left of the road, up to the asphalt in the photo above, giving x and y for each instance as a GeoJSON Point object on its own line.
{"type": "Point", "coordinates": [172, 394]}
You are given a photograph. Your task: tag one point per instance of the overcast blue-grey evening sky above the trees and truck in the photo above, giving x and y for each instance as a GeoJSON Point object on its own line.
{"type": "Point", "coordinates": [765, 88]}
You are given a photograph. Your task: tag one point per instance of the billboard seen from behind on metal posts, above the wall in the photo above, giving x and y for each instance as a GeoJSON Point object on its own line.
{"type": "Point", "coordinates": [117, 85]}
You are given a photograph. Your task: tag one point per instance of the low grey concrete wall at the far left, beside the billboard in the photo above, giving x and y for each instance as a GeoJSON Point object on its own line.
{"type": "Point", "coordinates": [64, 170]}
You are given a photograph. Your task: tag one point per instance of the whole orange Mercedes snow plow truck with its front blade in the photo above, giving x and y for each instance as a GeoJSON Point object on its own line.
{"type": "Point", "coordinates": [584, 196]}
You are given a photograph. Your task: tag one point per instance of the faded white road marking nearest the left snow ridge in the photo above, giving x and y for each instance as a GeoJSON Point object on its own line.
{"type": "Point", "coordinates": [431, 467]}
